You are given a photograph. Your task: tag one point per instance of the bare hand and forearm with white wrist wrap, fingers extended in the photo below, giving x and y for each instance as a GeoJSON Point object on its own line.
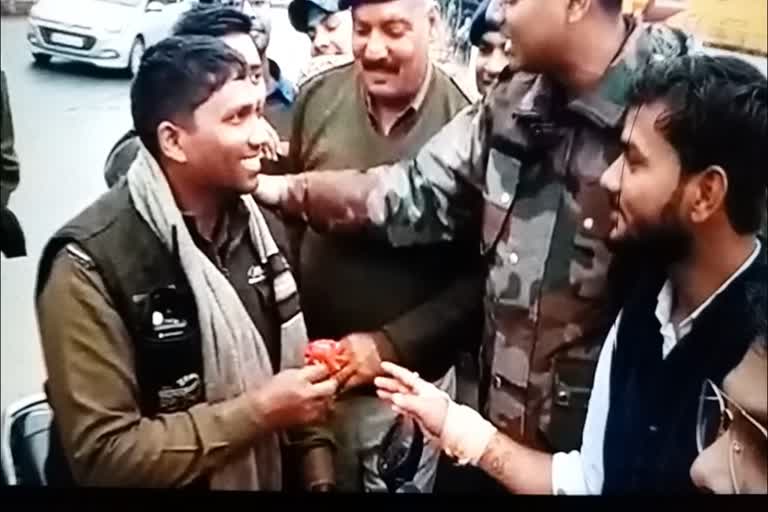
{"type": "Point", "coordinates": [464, 434]}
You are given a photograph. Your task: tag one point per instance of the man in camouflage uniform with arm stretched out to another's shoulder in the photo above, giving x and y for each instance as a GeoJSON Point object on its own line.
{"type": "Point", "coordinates": [526, 161]}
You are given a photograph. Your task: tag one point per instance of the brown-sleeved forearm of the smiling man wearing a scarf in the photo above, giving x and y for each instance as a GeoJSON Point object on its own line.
{"type": "Point", "coordinates": [169, 450]}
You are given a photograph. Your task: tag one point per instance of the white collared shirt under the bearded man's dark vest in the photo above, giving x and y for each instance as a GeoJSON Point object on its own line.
{"type": "Point", "coordinates": [581, 472]}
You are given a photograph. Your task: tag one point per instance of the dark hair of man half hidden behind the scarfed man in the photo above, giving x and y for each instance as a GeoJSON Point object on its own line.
{"type": "Point", "coordinates": [215, 21]}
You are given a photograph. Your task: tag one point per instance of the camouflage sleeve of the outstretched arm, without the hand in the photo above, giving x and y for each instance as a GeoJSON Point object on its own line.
{"type": "Point", "coordinates": [428, 199]}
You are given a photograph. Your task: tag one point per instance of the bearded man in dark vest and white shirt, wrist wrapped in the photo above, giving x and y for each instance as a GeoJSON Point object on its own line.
{"type": "Point", "coordinates": [687, 193]}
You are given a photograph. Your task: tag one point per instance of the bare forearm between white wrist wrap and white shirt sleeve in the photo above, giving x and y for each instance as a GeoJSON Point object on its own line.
{"type": "Point", "coordinates": [520, 469]}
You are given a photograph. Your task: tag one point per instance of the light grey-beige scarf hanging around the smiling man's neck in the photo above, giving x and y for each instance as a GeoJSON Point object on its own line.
{"type": "Point", "coordinates": [234, 353]}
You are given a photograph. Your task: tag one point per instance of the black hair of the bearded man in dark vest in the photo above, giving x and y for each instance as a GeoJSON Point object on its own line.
{"type": "Point", "coordinates": [717, 115]}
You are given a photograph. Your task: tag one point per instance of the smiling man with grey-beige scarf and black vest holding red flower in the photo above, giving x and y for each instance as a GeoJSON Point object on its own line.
{"type": "Point", "coordinates": [168, 314]}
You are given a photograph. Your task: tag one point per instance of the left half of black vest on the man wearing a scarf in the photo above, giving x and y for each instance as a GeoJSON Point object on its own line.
{"type": "Point", "coordinates": [143, 279]}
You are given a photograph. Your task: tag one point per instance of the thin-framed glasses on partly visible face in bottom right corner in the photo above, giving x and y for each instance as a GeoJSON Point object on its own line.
{"type": "Point", "coordinates": [717, 412]}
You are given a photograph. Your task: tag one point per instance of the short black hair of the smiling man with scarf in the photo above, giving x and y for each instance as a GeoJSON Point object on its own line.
{"type": "Point", "coordinates": [176, 76]}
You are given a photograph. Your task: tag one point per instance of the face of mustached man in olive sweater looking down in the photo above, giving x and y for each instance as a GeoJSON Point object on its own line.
{"type": "Point", "coordinates": [390, 43]}
